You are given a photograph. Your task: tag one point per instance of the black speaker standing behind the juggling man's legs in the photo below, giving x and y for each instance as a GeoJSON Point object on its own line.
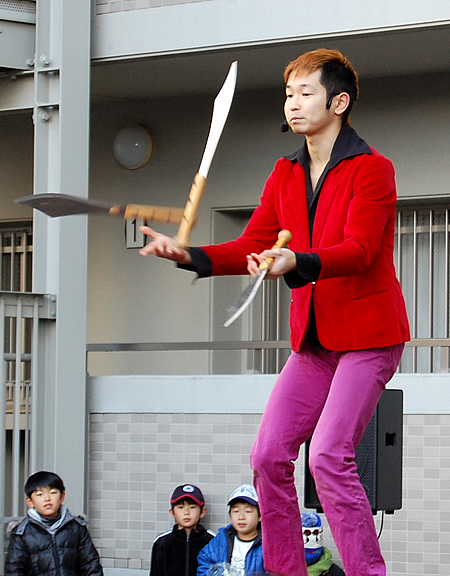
{"type": "Point", "coordinates": [378, 458]}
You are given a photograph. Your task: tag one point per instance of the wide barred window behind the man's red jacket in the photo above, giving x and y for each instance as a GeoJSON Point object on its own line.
{"type": "Point", "coordinates": [422, 260]}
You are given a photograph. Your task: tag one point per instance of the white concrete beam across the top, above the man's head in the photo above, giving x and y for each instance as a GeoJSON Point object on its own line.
{"type": "Point", "coordinates": [136, 27]}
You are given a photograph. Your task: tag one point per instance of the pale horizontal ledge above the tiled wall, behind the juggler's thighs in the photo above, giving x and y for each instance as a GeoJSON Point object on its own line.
{"type": "Point", "coordinates": [229, 394]}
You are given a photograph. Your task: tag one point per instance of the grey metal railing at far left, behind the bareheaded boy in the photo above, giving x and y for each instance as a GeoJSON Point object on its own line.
{"type": "Point", "coordinates": [20, 315]}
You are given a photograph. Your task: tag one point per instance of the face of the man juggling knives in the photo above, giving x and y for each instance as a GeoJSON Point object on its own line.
{"type": "Point", "coordinates": [305, 106]}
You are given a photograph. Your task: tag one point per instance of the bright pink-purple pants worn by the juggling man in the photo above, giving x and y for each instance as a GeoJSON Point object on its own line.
{"type": "Point", "coordinates": [333, 397]}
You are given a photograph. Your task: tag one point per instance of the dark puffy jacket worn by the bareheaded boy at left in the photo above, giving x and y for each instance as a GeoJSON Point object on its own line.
{"type": "Point", "coordinates": [34, 551]}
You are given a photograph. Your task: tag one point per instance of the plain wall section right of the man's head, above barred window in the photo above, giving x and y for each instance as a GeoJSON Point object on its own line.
{"type": "Point", "coordinates": [407, 119]}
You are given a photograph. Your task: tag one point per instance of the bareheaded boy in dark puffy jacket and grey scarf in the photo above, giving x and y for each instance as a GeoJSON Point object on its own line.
{"type": "Point", "coordinates": [50, 541]}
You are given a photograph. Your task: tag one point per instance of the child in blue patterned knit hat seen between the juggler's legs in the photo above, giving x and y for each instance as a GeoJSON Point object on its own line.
{"type": "Point", "coordinates": [318, 558]}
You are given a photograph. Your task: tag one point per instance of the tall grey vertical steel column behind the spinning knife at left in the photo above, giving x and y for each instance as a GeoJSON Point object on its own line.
{"type": "Point", "coordinates": [61, 120]}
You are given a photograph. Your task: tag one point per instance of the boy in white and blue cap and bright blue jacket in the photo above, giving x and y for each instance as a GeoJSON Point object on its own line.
{"type": "Point", "coordinates": [239, 544]}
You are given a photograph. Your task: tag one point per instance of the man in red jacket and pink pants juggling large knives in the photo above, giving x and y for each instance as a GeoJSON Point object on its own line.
{"type": "Point", "coordinates": [348, 319]}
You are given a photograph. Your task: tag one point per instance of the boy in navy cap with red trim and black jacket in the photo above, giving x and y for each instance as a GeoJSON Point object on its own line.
{"type": "Point", "coordinates": [174, 553]}
